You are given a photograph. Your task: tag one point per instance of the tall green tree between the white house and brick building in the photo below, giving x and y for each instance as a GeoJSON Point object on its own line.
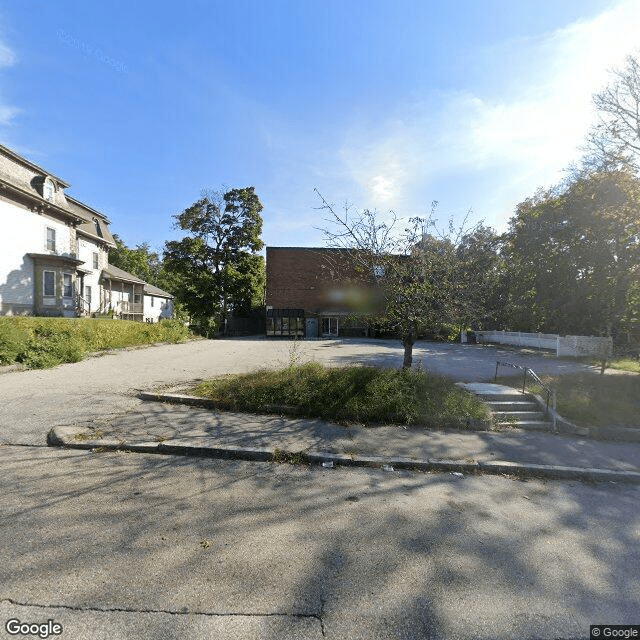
{"type": "Point", "coordinates": [216, 263]}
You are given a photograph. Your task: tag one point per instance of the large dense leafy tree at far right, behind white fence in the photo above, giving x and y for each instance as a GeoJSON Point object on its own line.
{"type": "Point", "coordinates": [574, 254]}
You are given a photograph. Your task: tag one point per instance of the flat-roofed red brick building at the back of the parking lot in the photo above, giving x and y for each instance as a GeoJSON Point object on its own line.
{"type": "Point", "coordinates": [317, 292]}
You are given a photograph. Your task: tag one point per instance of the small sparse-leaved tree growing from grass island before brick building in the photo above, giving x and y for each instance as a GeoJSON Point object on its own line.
{"type": "Point", "coordinates": [415, 271]}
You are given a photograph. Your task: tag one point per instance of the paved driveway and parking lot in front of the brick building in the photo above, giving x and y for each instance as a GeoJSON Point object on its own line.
{"type": "Point", "coordinates": [99, 387]}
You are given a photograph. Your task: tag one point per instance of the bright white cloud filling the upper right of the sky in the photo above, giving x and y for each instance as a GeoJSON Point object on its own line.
{"type": "Point", "coordinates": [527, 136]}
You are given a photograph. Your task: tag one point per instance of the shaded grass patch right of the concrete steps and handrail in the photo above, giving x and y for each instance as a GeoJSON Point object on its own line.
{"type": "Point", "coordinates": [592, 400]}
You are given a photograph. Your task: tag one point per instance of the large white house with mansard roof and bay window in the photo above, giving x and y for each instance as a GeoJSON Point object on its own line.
{"type": "Point", "coordinates": [54, 251]}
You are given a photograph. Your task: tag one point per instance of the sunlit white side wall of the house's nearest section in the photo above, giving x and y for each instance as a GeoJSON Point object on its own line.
{"type": "Point", "coordinates": [24, 232]}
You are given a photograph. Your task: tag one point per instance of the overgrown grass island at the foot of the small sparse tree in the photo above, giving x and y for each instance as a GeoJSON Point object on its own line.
{"type": "Point", "coordinates": [366, 395]}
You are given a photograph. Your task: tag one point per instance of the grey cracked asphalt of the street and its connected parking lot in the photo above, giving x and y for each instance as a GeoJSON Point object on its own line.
{"type": "Point", "coordinates": [118, 545]}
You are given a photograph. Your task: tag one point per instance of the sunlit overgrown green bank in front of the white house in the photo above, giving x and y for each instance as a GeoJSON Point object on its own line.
{"type": "Point", "coordinates": [46, 342]}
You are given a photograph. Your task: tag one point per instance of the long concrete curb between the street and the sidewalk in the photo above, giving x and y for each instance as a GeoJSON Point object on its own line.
{"type": "Point", "coordinates": [65, 437]}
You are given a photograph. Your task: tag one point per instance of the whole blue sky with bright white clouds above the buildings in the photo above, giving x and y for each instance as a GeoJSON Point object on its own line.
{"type": "Point", "coordinates": [382, 104]}
